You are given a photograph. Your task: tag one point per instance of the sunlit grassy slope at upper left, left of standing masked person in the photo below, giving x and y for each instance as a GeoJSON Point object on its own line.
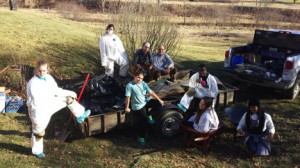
{"type": "Point", "coordinates": [28, 35]}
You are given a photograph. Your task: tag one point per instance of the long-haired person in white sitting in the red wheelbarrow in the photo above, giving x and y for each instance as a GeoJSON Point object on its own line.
{"type": "Point", "coordinates": [206, 119]}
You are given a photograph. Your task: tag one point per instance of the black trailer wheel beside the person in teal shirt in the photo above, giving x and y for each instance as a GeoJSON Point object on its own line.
{"type": "Point", "coordinates": [168, 124]}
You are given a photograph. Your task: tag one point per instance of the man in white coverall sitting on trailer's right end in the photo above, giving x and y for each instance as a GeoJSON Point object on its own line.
{"type": "Point", "coordinates": [201, 84]}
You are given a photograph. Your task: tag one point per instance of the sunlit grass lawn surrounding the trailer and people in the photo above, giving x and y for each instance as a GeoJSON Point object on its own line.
{"type": "Point", "coordinates": [27, 35]}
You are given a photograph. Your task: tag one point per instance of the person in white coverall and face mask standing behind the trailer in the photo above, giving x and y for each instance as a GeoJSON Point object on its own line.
{"type": "Point", "coordinates": [112, 50]}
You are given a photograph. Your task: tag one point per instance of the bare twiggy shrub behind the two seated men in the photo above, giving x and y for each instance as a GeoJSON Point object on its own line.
{"type": "Point", "coordinates": [151, 25]}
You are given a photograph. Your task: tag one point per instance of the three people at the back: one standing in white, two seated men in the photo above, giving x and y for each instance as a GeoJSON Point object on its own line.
{"type": "Point", "coordinates": [154, 65]}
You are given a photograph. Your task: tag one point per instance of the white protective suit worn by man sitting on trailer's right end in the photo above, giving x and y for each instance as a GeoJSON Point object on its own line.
{"type": "Point", "coordinates": [211, 91]}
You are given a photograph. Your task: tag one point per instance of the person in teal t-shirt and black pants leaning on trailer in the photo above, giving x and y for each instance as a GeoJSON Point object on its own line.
{"type": "Point", "coordinates": [136, 94]}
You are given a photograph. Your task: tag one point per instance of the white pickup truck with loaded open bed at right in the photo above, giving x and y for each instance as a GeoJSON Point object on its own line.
{"type": "Point", "coordinates": [271, 60]}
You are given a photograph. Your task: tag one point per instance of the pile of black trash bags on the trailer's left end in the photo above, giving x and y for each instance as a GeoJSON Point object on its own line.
{"type": "Point", "coordinates": [102, 94]}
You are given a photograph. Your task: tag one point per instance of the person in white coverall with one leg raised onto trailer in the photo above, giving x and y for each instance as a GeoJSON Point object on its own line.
{"type": "Point", "coordinates": [44, 98]}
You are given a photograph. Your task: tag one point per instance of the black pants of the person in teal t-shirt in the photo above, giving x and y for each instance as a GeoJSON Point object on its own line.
{"type": "Point", "coordinates": [141, 115]}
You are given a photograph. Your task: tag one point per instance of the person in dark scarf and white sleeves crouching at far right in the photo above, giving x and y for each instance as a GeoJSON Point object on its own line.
{"type": "Point", "coordinates": [257, 128]}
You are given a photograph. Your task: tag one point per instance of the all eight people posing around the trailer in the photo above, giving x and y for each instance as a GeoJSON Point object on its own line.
{"type": "Point", "coordinates": [44, 97]}
